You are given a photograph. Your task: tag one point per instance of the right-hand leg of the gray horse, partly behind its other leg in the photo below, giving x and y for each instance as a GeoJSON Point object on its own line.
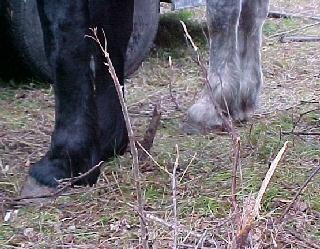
{"type": "Point", "coordinates": [253, 15]}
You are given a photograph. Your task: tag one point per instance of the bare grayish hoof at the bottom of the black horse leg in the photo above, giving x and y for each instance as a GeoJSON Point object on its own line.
{"type": "Point", "coordinates": [36, 192]}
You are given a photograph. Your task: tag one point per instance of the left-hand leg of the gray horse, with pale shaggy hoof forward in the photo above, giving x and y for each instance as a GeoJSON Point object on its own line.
{"type": "Point", "coordinates": [224, 70]}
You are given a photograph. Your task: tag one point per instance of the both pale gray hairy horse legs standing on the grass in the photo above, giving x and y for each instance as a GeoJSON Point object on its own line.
{"type": "Point", "coordinates": [234, 75]}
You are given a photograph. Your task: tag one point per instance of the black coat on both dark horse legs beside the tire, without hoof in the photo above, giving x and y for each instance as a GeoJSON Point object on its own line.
{"type": "Point", "coordinates": [89, 125]}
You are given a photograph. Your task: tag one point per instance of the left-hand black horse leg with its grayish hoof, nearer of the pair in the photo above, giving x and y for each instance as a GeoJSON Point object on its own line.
{"type": "Point", "coordinates": [75, 141]}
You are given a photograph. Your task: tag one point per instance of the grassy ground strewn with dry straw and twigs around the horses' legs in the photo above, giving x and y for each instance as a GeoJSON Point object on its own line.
{"type": "Point", "coordinates": [102, 216]}
